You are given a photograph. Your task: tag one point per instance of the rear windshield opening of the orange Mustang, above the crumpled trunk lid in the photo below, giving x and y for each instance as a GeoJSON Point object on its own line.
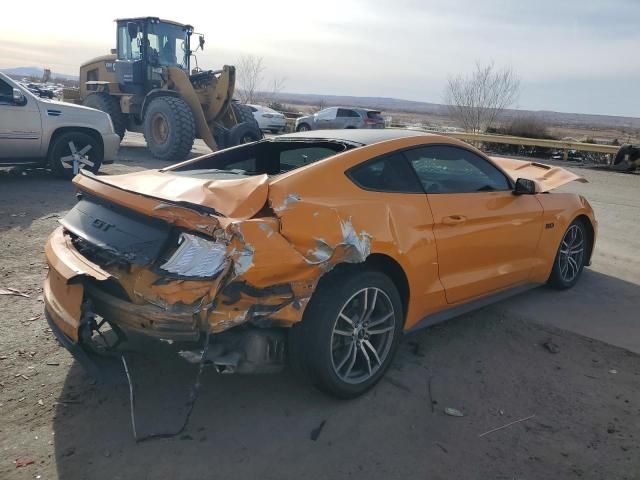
{"type": "Point", "coordinates": [270, 157]}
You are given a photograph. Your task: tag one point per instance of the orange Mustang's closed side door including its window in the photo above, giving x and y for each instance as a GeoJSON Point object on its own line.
{"type": "Point", "coordinates": [485, 235]}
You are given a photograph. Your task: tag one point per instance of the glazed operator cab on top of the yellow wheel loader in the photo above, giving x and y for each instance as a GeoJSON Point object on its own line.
{"type": "Point", "coordinates": [144, 47]}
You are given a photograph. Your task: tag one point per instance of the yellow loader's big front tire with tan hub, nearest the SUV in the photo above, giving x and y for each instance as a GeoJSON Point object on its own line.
{"type": "Point", "coordinates": [169, 128]}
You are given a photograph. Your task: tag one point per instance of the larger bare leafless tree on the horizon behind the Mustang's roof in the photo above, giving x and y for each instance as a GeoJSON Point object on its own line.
{"type": "Point", "coordinates": [475, 101]}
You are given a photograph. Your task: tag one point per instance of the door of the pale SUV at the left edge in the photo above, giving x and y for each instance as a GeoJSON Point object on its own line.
{"type": "Point", "coordinates": [20, 125]}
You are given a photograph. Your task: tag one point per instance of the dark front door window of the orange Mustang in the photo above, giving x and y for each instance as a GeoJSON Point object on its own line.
{"type": "Point", "coordinates": [447, 169]}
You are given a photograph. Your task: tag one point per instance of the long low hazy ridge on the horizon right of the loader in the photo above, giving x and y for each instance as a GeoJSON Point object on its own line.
{"type": "Point", "coordinates": [408, 106]}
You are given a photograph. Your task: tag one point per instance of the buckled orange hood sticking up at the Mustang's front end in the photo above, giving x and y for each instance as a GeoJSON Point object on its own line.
{"type": "Point", "coordinates": [546, 177]}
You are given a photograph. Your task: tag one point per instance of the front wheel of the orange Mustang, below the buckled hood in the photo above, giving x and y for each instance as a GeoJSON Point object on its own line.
{"type": "Point", "coordinates": [560, 278]}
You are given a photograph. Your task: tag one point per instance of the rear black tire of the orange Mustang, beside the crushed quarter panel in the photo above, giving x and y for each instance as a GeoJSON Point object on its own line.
{"type": "Point", "coordinates": [311, 342]}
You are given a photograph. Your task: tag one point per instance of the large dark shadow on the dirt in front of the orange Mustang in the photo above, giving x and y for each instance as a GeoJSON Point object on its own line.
{"type": "Point", "coordinates": [492, 365]}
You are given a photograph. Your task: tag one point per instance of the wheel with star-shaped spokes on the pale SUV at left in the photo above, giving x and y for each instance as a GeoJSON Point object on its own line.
{"type": "Point", "coordinates": [60, 149]}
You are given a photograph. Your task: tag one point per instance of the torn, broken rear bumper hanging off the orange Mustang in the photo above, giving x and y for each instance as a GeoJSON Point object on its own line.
{"type": "Point", "coordinates": [77, 299]}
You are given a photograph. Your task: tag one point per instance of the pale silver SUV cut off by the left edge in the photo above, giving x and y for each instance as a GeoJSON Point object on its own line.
{"type": "Point", "coordinates": [46, 133]}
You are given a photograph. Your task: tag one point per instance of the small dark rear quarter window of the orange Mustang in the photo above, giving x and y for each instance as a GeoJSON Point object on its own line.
{"type": "Point", "coordinates": [390, 173]}
